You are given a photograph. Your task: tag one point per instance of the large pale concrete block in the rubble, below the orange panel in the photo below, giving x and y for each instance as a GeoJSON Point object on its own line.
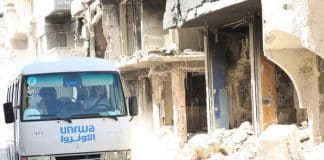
{"type": "Point", "coordinates": [280, 142]}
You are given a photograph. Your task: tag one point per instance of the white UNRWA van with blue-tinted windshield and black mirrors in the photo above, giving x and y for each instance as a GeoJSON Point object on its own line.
{"type": "Point", "coordinates": [69, 108]}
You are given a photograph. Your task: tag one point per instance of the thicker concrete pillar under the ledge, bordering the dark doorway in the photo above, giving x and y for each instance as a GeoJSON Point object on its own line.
{"type": "Point", "coordinates": [179, 103]}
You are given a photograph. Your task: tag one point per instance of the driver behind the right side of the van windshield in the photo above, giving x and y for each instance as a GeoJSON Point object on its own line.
{"type": "Point", "coordinates": [98, 98]}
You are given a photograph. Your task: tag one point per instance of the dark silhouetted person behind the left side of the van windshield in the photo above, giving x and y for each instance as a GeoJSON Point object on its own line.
{"type": "Point", "coordinates": [49, 104]}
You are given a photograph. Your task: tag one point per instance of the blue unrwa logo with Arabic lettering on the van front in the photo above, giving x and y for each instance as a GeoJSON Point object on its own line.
{"type": "Point", "coordinates": [77, 134]}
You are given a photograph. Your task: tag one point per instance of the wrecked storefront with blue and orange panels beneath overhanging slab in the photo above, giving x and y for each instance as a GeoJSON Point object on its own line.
{"type": "Point", "coordinates": [242, 84]}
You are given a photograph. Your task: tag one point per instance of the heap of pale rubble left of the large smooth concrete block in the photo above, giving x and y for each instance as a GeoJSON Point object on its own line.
{"type": "Point", "coordinates": [237, 143]}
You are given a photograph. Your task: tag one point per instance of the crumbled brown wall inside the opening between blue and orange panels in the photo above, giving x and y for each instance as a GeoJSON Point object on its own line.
{"type": "Point", "coordinates": [238, 79]}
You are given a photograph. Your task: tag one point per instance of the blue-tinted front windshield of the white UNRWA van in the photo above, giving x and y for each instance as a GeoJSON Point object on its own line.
{"type": "Point", "coordinates": [72, 95]}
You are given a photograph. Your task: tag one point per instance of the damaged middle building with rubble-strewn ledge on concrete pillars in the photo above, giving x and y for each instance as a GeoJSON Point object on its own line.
{"type": "Point", "coordinates": [160, 67]}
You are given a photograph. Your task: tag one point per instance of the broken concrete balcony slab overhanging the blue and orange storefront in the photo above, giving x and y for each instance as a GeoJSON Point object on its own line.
{"type": "Point", "coordinates": [197, 13]}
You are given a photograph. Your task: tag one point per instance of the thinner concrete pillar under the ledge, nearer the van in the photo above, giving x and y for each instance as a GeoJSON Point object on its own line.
{"type": "Point", "coordinates": [157, 86]}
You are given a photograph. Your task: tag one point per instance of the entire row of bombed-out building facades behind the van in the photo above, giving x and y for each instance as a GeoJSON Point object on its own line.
{"type": "Point", "coordinates": [194, 66]}
